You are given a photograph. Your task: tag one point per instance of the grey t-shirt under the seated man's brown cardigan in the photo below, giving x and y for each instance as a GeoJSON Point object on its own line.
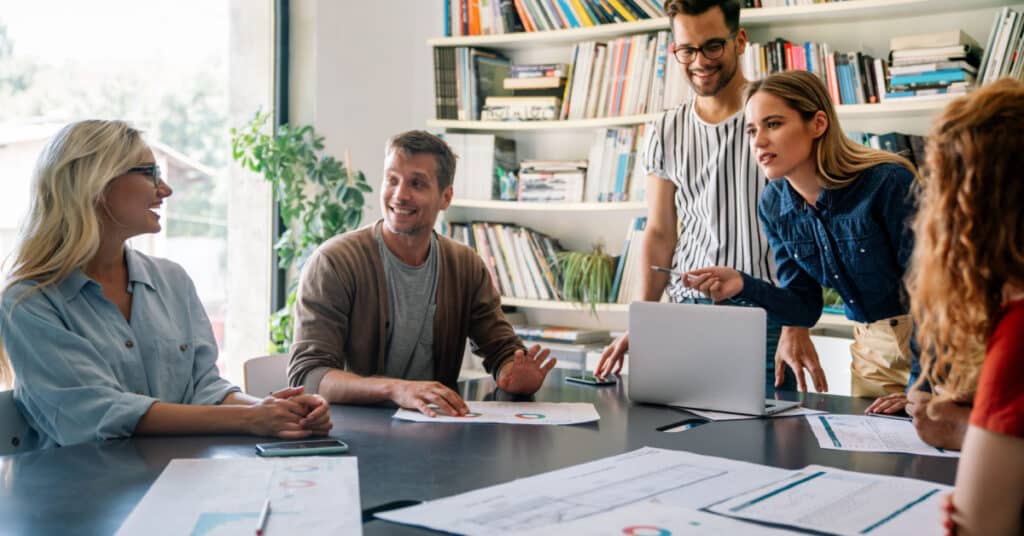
{"type": "Point", "coordinates": [411, 293]}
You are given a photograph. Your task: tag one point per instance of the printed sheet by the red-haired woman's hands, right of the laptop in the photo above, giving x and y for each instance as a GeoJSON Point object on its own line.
{"type": "Point", "coordinates": [862, 433]}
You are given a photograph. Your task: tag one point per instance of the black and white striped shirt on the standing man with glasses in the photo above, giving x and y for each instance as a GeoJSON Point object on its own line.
{"type": "Point", "coordinates": [718, 185]}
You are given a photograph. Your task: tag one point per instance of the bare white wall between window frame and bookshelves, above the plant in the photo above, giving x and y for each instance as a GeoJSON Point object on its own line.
{"type": "Point", "coordinates": [363, 72]}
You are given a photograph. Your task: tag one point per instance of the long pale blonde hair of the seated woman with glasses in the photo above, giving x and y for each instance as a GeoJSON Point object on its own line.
{"type": "Point", "coordinates": [62, 231]}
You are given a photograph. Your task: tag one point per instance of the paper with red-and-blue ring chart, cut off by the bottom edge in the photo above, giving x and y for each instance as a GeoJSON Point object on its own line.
{"type": "Point", "coordinates": [656, 520]}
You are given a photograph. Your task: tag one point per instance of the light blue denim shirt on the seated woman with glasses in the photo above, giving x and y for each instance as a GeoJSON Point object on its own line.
{"type": "Point", "coordinates": [84, 374]}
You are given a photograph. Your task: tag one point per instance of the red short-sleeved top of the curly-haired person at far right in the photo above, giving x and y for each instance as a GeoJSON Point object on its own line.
{"type": "Point", "coordinates": [999, 405]}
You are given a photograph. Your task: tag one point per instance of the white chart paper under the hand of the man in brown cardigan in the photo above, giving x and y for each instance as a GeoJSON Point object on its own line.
{"type": "Point", "coordinates": [538, 414]}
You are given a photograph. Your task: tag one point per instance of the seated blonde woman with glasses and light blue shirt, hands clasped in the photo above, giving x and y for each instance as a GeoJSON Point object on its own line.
{"type": "Point", "coordinates": [106, 342]}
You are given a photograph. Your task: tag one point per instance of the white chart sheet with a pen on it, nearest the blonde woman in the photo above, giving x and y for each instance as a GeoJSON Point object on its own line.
{"type": "Point", "coordinates": [225, 497]}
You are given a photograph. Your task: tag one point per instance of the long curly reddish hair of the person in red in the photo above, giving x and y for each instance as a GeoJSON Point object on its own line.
{"type": "Point", "coordinates": [970, 232]}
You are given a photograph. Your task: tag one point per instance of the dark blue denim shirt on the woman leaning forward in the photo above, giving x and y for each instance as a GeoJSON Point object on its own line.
{"type": "Point", "coordinates": [857, 240]}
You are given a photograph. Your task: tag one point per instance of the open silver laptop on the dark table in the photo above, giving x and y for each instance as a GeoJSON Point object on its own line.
{"type": "Point", "coordinates": [701, 357]}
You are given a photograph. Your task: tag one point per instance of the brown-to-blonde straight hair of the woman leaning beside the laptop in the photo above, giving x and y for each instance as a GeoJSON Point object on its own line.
{"type": "Point", "coordinates": [839, 159]}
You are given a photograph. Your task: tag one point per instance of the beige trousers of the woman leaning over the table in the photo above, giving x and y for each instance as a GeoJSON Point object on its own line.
{"type": "Point", "coordinates": [881, 354]}
